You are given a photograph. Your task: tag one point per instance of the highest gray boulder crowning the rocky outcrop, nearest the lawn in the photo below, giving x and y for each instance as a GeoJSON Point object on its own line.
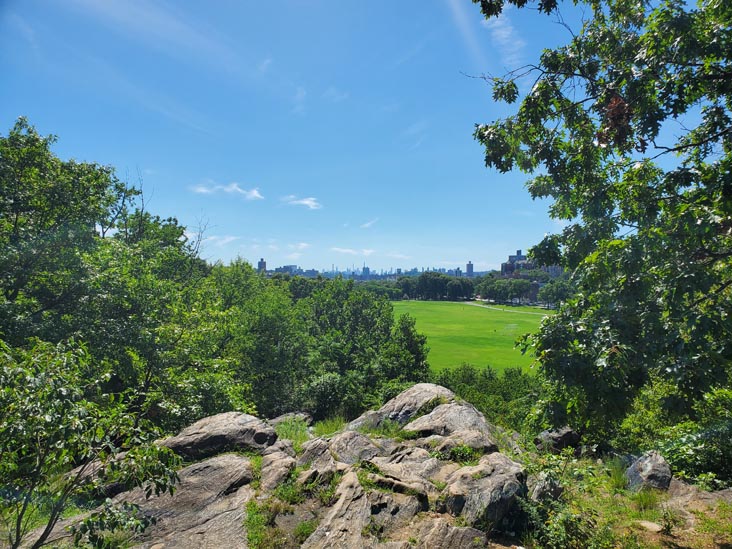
{"type": "Point", "coordinates": [403, 407]}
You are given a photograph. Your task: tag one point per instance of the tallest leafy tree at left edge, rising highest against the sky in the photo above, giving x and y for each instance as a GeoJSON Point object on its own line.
{"type": "Point", "coordinates": [50, 212]}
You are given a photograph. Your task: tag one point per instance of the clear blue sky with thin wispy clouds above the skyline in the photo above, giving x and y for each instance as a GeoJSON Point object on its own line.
{"type": "Point", "coordinates": [317, 133]}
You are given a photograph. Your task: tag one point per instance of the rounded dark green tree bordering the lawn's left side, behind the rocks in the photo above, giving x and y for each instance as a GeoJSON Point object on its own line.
{"type": "Point", "coordinates": [355, 348]}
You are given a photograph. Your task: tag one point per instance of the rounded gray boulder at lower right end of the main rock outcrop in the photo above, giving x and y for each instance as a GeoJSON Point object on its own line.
{"type": "Point", "coordinates": [485, 493]}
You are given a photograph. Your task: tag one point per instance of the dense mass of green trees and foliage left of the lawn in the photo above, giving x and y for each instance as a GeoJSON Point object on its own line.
{"type": "Point", "coordinates": [113, 329]}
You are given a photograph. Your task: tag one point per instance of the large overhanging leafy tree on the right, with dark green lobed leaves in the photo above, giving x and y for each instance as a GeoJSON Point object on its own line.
{"type": "Point", "coordinates": [628, 128]}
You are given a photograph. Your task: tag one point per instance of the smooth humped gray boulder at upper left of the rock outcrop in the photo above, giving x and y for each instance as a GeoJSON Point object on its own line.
{"type": "Point", "coordinates": [221, 433]}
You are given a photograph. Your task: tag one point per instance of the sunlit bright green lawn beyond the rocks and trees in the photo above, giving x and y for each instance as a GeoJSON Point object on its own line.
{"type": "Point", "coordinates": [461, 332]}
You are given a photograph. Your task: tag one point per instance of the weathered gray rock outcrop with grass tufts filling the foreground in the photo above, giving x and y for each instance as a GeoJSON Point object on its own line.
{"type": "Point", "coordinates": [438, 480]}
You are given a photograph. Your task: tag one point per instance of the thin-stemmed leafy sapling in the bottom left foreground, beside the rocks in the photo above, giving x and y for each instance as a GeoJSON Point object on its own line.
{"type": "Point", "coordinates": [57, 445]}
